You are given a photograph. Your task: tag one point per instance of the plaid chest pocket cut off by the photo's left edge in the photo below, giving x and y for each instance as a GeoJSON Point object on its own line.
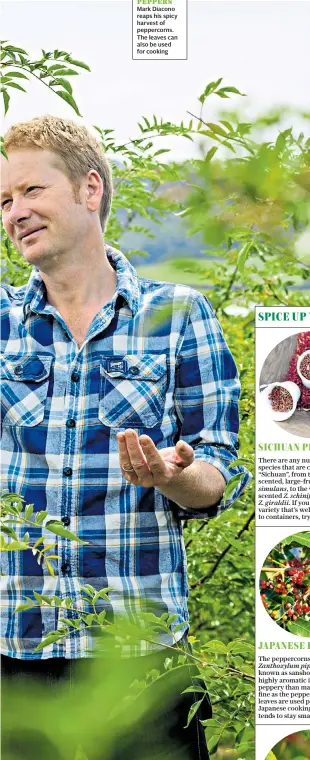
{"type": "Point", "coordinates": [24, 386]}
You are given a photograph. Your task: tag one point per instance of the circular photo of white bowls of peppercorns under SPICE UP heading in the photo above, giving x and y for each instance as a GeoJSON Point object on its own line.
{"type": "Point", "coordinates": [284, 384]}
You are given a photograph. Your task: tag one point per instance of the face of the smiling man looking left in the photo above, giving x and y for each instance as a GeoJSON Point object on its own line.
{"type": "Point", "coordinates": [40, 214]}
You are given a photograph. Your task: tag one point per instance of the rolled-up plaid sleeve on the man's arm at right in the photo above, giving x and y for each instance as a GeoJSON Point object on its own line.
{"type": "Point", "coordinates": [206, 399]}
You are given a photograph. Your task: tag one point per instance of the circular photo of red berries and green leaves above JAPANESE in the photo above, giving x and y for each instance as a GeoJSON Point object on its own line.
{"type": "Point", "coordinates": [285, 584]}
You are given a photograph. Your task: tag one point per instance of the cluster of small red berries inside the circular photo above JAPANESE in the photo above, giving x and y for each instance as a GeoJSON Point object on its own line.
{"type": "Point", "coordinates": [287, 597]}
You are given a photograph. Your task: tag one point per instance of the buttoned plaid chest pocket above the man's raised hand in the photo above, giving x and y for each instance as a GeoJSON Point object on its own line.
{"type": "Point", "coordinates": [132, 390]}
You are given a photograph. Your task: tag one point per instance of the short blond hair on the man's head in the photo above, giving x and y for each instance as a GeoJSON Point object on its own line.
{"type": "Point", "coordinates": [78, 150]}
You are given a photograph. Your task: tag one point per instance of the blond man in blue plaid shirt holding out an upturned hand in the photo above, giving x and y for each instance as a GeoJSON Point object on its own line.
{"type": "Point", "coordinates": [119, 402]}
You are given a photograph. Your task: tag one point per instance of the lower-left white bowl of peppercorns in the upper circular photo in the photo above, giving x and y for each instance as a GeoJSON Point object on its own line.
{"type": "Point", "coordinates": [280, 399]}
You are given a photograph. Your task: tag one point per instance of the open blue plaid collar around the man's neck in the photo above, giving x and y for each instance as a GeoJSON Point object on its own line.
{"type": "Point", "coordinates": [127, 285]}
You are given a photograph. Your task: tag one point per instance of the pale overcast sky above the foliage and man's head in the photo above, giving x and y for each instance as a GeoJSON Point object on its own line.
{"type": "Point", "coordinates": [260, 47]}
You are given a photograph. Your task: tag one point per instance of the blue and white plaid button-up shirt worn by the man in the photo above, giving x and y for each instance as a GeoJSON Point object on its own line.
{"type": "Point", "coordinates": [154, 359]}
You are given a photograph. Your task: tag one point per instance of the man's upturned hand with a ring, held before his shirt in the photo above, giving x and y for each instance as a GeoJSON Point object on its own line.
{"type": "Point", "coordinates": [144, 465]}
